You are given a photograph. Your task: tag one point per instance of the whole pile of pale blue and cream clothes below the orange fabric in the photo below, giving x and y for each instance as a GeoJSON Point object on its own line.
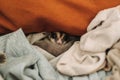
{"type": "Point", "coordinates": [94, 57]}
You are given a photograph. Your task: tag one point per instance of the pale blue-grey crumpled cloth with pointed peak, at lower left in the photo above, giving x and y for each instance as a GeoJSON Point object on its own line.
{"type": "Point", "coordinates": [24, 62]}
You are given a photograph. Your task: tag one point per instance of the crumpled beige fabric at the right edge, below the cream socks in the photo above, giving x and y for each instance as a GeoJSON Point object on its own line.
{"type": "Point", "coordinates": [113, 58]}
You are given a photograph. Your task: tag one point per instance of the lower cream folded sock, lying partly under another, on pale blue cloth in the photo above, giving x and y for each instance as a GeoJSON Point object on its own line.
{"type": "Point", "coordinates": [77, 62]}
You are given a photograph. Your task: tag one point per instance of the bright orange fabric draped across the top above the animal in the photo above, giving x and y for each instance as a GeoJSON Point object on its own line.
{"type": "Point", "coordinates": [71, 16]}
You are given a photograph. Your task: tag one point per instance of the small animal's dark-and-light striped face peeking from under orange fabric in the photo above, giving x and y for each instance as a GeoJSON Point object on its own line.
{"type": "Point", "coordinates": [59, 38]}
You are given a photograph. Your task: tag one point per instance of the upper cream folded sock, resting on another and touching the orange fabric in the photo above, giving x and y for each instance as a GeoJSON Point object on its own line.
{"type": "Point", "coordinates": [104, 35]}
